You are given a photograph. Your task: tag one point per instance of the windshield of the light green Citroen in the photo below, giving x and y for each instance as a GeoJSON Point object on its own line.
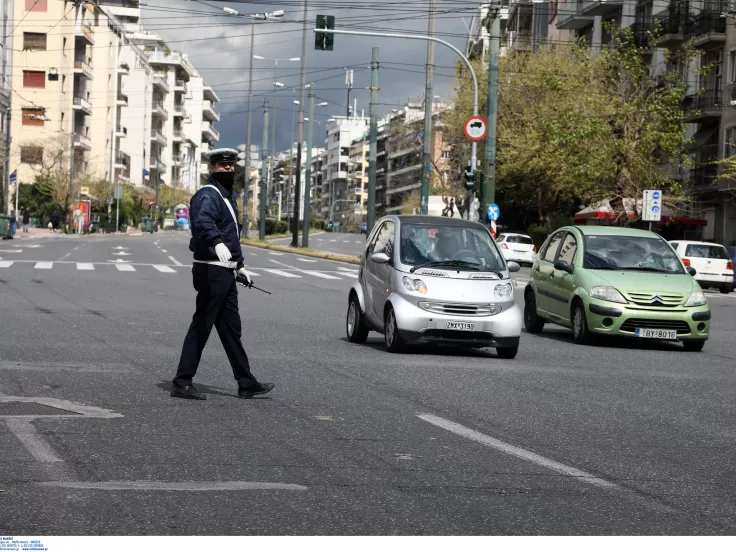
{"type": "Point", "coordinates": [630, 253]}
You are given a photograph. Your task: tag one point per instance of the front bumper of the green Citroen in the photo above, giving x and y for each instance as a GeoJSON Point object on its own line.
{"type": "Point", "coordinates": [622, 320]}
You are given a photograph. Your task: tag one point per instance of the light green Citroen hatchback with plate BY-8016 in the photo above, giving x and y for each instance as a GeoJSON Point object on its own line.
{"type": "Point", "coordinates": [600, 280]}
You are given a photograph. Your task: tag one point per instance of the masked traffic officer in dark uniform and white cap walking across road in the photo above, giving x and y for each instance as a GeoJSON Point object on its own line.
{"type": "Point", "coordinates": [215, 244]}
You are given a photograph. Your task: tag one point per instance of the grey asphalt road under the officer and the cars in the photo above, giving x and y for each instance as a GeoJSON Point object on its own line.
{"type": "Point", "coordinates": [565, 439]}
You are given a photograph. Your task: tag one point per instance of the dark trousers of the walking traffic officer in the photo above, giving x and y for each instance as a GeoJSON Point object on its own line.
{"type": "Point", "coordinates": [217, 305]}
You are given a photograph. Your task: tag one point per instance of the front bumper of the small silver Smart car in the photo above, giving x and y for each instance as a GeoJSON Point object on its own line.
{"type": "Point", "coordinates": [417, 325]}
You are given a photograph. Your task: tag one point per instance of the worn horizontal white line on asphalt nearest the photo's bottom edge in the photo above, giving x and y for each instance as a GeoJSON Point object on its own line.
{"type": "Point", "coordinates": [190, 486]}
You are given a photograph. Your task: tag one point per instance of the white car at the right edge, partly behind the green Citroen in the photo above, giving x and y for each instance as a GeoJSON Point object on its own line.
{"type": "Point", "coordinates": [712, 263]}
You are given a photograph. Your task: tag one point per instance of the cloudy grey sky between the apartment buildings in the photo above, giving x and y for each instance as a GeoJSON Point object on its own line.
{"type": "Point", "coordinates": [218, 45]}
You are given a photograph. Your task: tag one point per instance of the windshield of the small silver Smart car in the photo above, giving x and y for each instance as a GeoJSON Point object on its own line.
{"type": "Point", "coordinates": [424, 243]}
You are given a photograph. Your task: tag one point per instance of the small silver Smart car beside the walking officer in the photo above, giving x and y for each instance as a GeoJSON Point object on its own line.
{"type": "Point", "coordinates": [434, 279]}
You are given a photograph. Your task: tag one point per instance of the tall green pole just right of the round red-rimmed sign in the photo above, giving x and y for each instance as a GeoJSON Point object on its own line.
{"type": "Point", "coordinates": [489, 186]}
